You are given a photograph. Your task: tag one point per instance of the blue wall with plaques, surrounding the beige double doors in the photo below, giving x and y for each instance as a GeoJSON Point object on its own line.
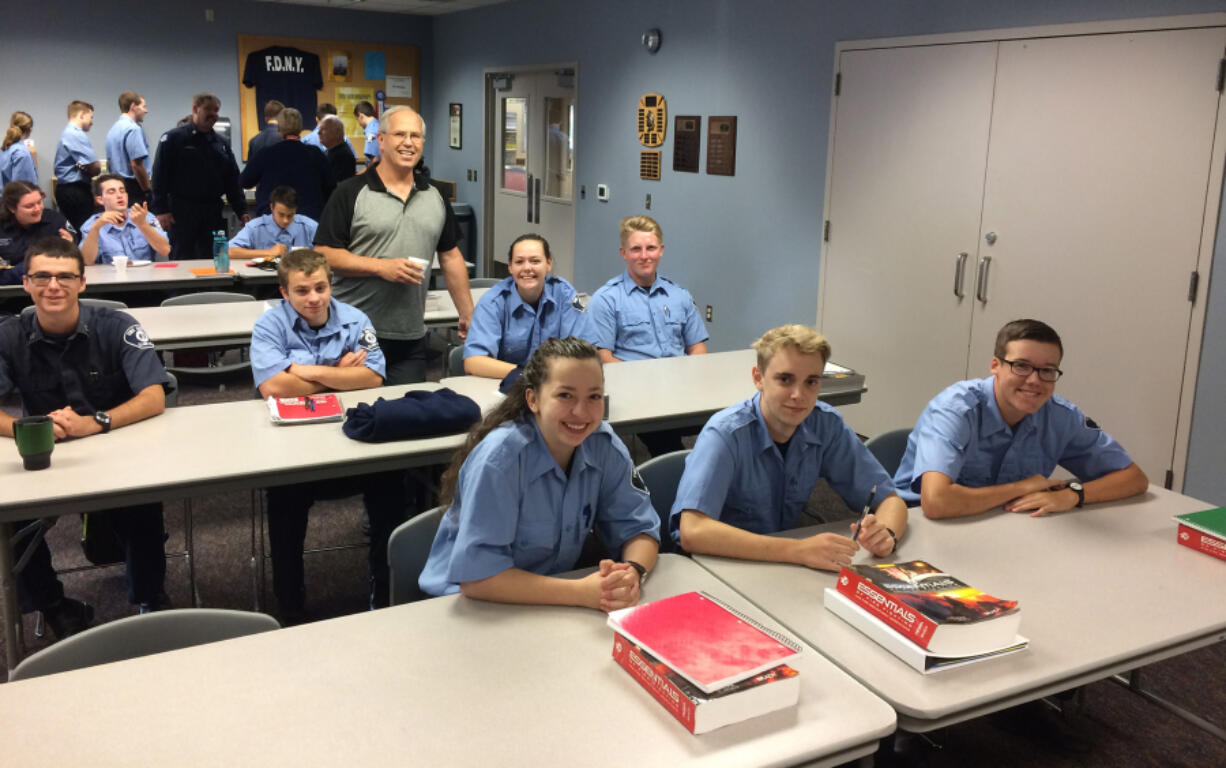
{"type": "Point", "coordinates": [748, 245]}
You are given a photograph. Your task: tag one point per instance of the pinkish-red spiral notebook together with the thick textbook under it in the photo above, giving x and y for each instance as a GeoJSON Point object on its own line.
{"type": "Point", "coordinates": [708, 664]}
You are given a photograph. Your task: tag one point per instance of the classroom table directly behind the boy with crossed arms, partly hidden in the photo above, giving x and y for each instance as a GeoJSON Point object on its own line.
{"type": "Point", "coordinates": [230, 324]}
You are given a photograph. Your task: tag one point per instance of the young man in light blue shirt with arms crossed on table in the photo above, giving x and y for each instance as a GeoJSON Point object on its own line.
{"type": "Point", "coordinates": [311, 344]}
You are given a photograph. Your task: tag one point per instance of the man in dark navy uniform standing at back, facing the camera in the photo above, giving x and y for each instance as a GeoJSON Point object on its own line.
{"type": "Point", "coordinates": [194, 167]}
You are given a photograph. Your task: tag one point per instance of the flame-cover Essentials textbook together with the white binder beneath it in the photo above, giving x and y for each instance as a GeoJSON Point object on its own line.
{"type": "Point", "coordinates": [924, 616]}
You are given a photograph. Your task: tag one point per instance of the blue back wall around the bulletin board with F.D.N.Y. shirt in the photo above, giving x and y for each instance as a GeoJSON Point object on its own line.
{"type": "Point", "coordinates": [53, 52]}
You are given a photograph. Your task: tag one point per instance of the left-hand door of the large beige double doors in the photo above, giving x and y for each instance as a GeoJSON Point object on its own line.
{"type": "Point", "coordinates": [907, 186]}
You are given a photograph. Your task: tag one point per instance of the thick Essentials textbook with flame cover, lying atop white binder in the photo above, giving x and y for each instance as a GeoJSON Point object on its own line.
{"type": "Point", "coordinates": [931, 608]}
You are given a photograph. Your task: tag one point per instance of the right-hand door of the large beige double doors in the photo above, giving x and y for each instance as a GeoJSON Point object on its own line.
{"type": "Point", "coordinates": [1097, 182]}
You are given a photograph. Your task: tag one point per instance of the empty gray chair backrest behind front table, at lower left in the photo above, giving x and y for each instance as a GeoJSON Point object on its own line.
{"type": "Point", "coordinates": [140, 636]}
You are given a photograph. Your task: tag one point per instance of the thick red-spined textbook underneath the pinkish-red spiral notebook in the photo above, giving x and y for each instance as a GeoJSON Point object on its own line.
{"type": "Point", "coordinates": [775, 689]}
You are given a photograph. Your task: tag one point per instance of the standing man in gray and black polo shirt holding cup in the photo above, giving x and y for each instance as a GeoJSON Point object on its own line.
{"type": "Point", "coordinates": [373, 225]}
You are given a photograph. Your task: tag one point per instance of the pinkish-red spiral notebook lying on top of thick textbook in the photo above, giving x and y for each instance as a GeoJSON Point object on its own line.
{"type": "Point", "coordinates": [703, 640]}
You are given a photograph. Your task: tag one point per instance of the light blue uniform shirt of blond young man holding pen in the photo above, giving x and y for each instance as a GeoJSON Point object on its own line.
{"type": "Point", "coordinates": [737, 475]}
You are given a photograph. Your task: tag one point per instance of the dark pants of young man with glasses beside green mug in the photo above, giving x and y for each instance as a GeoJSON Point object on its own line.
{"type": "Point", "coordinates": [143, 534]}
